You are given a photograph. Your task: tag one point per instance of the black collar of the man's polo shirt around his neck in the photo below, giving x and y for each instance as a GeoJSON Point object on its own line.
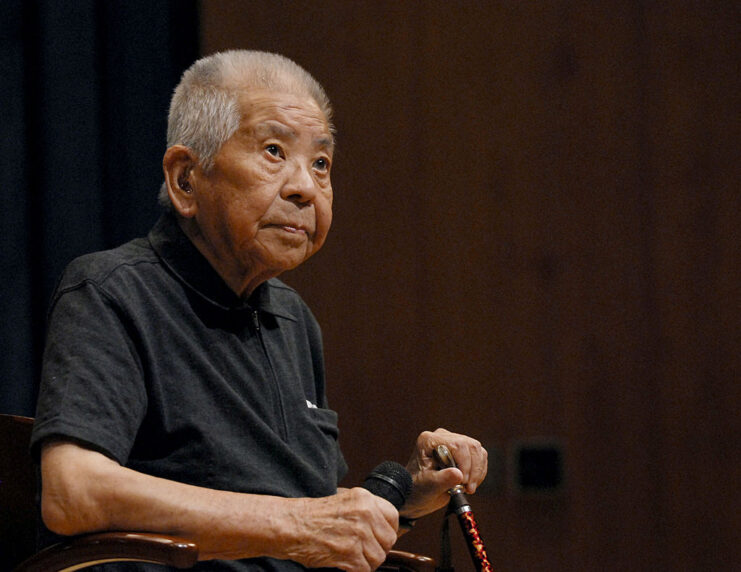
{"type": "Point", "coordinates": [186, 262]}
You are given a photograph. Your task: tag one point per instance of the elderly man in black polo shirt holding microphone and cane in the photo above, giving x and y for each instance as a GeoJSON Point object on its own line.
{"type": "Point", "coordinates": [183, 384]}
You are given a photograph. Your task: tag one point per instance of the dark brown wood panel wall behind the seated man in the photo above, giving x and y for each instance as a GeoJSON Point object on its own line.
{"type": "Point", "coordinates": [536, 237]}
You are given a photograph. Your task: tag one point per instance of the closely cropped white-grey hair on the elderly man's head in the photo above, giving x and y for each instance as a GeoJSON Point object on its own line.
{"type": "Point", "coordinates": [204, 110]}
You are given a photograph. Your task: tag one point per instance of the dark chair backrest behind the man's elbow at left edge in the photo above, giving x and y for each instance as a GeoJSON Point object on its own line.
{"type": "Point", "coordinates": [18, 491]}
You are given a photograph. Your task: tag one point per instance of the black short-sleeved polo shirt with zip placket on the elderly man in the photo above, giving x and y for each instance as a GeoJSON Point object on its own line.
{"type": "Point", "coordinates": [151, 359]}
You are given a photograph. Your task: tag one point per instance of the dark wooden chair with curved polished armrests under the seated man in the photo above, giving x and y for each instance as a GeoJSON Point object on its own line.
{"type": "Point", "coordinates": [18, 520]}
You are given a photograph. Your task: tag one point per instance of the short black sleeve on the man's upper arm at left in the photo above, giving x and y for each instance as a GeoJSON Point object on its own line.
{"type": "Point", "coordinates": [92, 387]}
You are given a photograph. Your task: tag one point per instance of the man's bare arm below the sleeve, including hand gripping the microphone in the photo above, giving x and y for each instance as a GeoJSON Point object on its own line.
{"type": "Point", "coordinates": [85, 491]}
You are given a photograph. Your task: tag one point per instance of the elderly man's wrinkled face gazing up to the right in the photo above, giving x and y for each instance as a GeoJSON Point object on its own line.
{"type": "Point", "coordinates": [266, 205]}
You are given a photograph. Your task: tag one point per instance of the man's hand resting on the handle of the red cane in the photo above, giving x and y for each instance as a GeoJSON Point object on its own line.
{"type": "Point", "coordinates": [430, 483]}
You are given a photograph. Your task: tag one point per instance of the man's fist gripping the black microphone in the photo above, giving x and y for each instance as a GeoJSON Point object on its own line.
{"type": "Point", "coordinates": [352, 530]}
